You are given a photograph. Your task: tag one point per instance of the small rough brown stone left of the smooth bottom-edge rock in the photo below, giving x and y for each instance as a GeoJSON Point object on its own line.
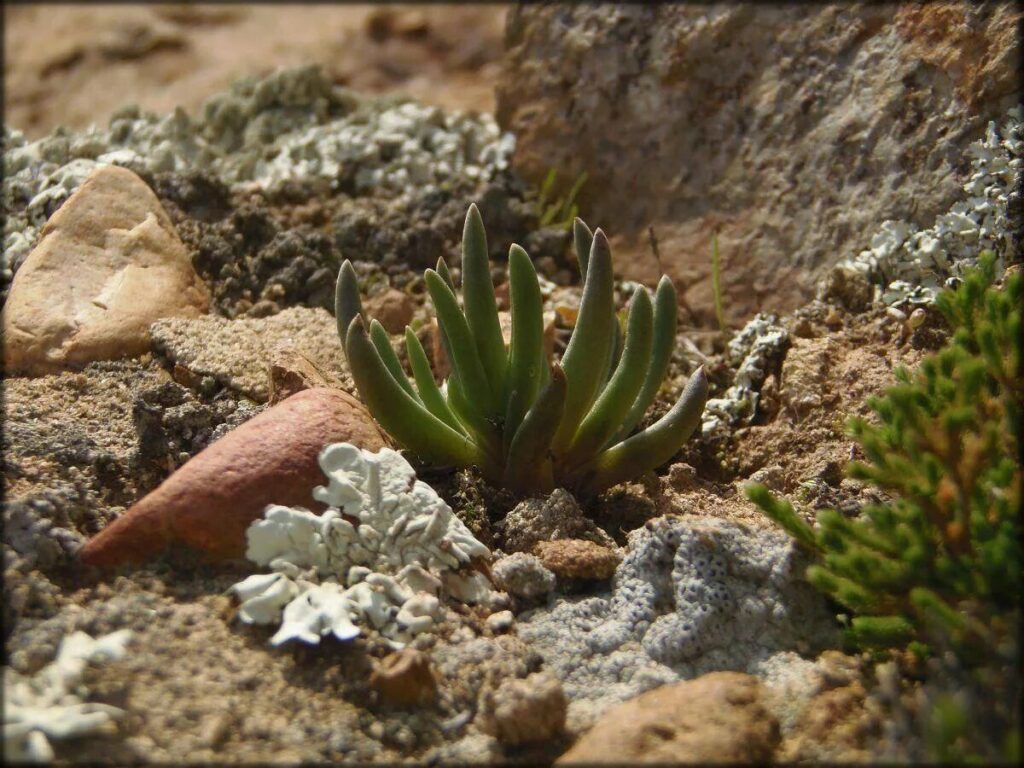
{"type": "Point", "coordinates": [525, 711]}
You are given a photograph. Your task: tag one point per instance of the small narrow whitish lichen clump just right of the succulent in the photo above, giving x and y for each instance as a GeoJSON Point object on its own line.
{"type": "Point", "coordinates": [761, 344]}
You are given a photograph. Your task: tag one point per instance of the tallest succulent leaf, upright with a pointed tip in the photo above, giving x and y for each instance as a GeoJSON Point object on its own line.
{"type": "Point", "coordinates": [479, 303]}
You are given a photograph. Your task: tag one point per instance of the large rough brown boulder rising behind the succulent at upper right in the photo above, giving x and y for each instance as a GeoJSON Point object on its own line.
{"type": "Point", "coordinates": [789, 130]}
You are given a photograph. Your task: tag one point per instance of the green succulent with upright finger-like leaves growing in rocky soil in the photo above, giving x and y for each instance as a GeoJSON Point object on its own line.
{"type": "Point", "coordinates": [530, 425]}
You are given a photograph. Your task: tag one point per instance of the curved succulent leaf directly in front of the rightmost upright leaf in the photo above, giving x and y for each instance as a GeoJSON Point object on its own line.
{"type": "Point", "coordinates": [615, 402]}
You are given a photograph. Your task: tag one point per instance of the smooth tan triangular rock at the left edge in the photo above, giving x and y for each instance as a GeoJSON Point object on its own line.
{"type": "Point", "coordinates": [108, 266]}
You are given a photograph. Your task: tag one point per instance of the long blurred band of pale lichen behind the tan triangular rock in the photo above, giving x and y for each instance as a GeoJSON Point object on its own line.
{"type": "Point", "coordinates": [293, 124]}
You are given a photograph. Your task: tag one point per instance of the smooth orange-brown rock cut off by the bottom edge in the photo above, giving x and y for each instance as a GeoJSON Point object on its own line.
{"type": "Point", "coordinates": [718, 718]}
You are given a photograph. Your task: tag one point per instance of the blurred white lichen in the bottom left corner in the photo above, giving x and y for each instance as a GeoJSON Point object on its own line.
{"type": "Point", "coordinates": [51, 704]}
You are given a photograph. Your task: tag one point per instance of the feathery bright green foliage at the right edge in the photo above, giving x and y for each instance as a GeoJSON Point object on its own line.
{"type": "Point", "coordinates": [941, 566]}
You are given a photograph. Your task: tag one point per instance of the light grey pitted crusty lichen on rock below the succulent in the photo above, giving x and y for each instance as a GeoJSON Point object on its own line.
{"type": "Point", "coordinates": [694, 595]}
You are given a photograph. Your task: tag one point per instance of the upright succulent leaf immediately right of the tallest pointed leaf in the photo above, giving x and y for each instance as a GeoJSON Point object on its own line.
{"type": "Point", "coordinates": [527, 350]}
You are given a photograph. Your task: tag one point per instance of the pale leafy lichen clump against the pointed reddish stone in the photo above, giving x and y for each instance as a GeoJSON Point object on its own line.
{"type": "Point", "coordinates": [385, 556]}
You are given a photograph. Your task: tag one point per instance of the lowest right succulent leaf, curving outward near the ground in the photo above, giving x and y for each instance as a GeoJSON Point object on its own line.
{"type": "Point", "coordinates": [651, 448]}
